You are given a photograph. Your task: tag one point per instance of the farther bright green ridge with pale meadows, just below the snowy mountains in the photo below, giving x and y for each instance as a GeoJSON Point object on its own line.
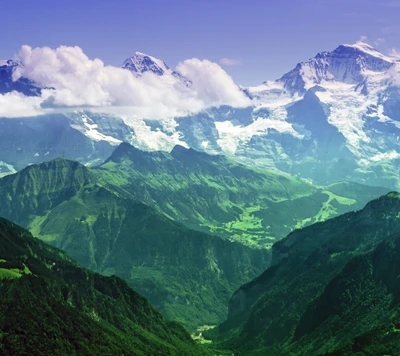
{"type": "Point", "coordinates": [215, 194]}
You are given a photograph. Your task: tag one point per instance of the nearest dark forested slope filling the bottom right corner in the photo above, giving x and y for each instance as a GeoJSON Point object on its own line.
{"type": "Point", "coordinates": [364, 298]}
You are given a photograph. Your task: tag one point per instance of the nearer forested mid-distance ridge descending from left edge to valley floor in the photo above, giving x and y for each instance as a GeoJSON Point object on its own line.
{"type": "Point", "coordinates": [188, 275]}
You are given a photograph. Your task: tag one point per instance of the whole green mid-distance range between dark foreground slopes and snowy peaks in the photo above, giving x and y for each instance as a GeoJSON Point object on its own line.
{"type": "Point", "coordinates": [124, 217]}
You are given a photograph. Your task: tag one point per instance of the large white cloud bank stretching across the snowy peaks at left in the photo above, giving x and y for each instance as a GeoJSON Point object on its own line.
{"type": "Point", "coordinates": [72, 80]}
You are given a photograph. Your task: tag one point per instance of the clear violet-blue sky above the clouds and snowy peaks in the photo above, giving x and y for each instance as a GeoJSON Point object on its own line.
{"type": "Point", "coordinates": [263, 39]}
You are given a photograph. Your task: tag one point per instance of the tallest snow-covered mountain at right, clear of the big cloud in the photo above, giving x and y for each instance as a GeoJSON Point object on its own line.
{"type": "Point", "coordinates": [330, 119]}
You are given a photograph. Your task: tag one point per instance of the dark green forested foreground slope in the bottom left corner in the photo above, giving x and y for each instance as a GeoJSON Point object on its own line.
{"type": "Point", "coordinates": [51, 306]}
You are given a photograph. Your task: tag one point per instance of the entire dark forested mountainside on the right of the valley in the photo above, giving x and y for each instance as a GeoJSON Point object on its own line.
{"type": "Point", "coordinates": [343, 296]}
